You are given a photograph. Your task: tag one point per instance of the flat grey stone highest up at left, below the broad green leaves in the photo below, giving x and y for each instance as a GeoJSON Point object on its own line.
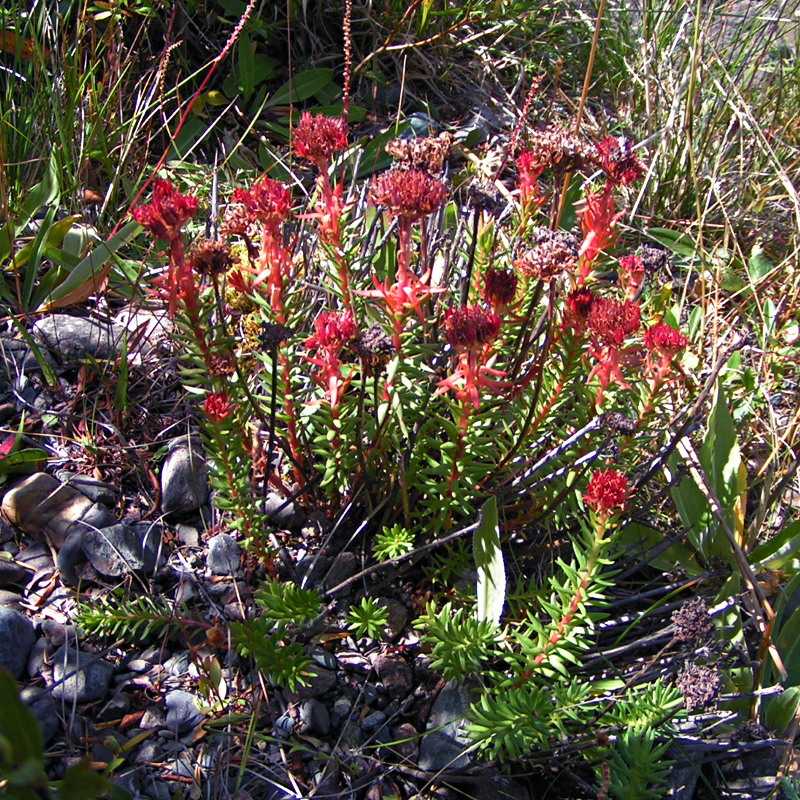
{"type": "Point", "coordinates": [74, 338]}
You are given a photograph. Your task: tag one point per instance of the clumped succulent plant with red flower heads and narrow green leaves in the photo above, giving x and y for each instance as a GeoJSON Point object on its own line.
{"type": "Point", "coordinates": [393, 357]}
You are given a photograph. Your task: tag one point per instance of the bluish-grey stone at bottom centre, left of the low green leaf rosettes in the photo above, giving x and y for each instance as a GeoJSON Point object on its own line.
{"type": "Point", "coordinates": [445, 743]}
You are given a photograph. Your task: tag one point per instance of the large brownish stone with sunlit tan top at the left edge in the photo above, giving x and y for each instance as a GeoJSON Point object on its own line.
{"type": "Point", "coordinates": [47, 509]}
